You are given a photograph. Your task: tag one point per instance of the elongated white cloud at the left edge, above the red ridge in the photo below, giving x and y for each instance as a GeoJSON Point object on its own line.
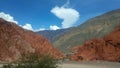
{"type": "Point", "coordinates": [7, 17]}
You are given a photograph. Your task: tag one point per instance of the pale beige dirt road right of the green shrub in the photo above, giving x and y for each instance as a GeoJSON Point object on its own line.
{"type": "Point", "coordinates": [90, 65]}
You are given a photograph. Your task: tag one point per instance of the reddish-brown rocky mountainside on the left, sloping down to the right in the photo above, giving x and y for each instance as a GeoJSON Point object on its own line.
{"type": "Point", "coordinates": [16, 42]}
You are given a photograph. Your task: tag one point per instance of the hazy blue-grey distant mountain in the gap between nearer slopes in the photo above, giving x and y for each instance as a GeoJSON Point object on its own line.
{"type": "Point", "coordinates": [53, 35]}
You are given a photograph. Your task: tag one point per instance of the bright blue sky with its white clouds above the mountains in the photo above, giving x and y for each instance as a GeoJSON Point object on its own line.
{"type": "Point", "coordinates": [54, 14]}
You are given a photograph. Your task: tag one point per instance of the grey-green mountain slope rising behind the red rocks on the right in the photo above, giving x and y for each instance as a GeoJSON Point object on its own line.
{"type": "Point", "coordinates": [94, 28]}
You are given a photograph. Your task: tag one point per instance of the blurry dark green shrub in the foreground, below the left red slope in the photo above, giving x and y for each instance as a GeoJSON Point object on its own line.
{"type": "Point", "coordinates": [34, 61]}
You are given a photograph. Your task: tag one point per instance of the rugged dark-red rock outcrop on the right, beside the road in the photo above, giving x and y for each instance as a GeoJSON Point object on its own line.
{"type": "Point", "coordinates": [107, 49]}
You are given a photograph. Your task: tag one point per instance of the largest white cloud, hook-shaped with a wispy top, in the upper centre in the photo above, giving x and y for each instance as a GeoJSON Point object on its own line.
{"type": "Point", "coordinates": [69, 15]}
